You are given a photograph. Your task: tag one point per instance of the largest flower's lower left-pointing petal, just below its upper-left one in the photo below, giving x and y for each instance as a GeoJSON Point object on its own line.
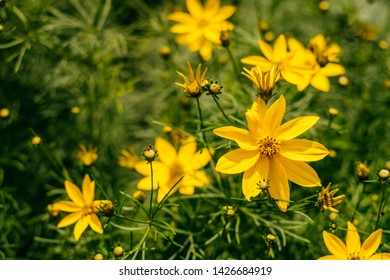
{"type": "Point", "coordinates": [237, 161]}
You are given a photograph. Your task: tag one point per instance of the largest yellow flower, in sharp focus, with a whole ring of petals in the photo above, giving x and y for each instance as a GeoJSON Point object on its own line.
{"type": "Point", "coordinates": [268, 153]}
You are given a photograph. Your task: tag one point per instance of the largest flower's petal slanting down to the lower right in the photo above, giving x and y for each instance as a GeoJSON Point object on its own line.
{"type": "Point", "coordinates": [300, 172]}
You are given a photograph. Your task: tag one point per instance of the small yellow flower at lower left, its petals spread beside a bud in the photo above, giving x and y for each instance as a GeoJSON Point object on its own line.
{"type": "Point", "coordinates": [81, 207]}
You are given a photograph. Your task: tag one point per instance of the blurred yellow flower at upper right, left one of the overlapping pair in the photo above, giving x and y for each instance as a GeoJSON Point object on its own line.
{"type": "Point", "coordinates": [292, 65]}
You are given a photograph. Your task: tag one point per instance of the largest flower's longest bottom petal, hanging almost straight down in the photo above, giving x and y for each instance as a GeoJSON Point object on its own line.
{"type": "Point", "coordinates": [279, 188]}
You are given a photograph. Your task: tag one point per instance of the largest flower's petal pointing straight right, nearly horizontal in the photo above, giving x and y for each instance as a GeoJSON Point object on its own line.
{"type": "Point", "coordinates": [302, 150]}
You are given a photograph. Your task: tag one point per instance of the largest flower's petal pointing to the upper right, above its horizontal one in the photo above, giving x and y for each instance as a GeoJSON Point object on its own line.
{"type": "Point", "coordinates": [296, 127]}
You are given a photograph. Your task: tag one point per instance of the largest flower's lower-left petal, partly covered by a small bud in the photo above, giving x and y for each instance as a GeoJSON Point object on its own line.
{"type": "Point", "coordinates": [253, 176]}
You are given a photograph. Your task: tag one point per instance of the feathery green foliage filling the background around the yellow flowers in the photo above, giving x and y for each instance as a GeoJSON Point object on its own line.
{"type": "Point", "coordinates": [91, 72]}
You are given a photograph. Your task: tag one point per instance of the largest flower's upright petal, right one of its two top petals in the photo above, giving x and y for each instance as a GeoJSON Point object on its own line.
{"type": "Point", "coordinates": [274, 116]}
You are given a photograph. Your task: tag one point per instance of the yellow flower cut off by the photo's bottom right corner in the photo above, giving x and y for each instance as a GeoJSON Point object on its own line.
{"type": "Point", "coordinates": [353, 249]}
